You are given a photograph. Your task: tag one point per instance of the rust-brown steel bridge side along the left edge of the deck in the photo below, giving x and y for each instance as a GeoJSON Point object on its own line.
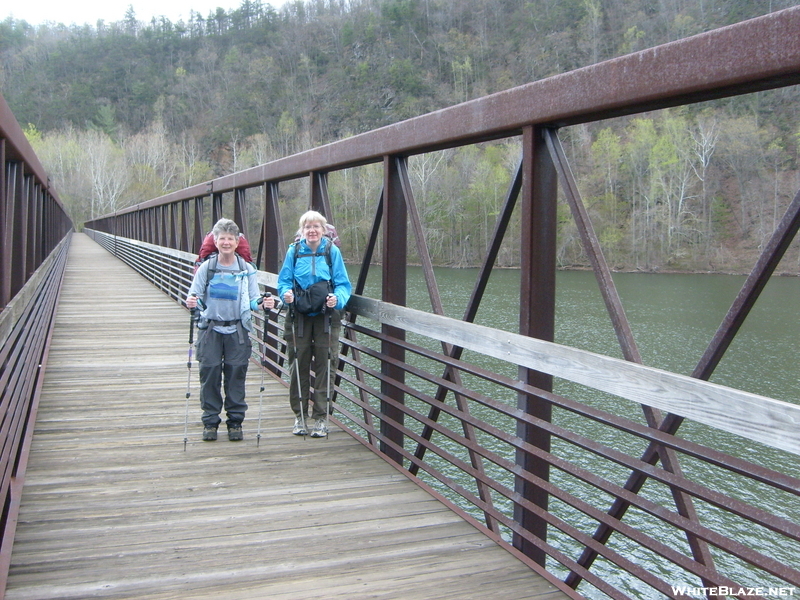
{"type": "Point", "coordinates": [34, 240]}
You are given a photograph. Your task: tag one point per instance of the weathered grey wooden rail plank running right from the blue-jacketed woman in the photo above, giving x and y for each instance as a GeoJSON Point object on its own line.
{"type": "Point", "coordinates": [765, 420]}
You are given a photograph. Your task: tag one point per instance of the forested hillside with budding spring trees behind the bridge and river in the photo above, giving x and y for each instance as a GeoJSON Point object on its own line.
{"type": "Point", "coordinates": [125, 111]}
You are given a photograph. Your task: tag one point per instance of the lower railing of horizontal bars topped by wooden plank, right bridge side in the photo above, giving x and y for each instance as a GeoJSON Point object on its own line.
{"type": "Point", "coordinates": [463, 432]}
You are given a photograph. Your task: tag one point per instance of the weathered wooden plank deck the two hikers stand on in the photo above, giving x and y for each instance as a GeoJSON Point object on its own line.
{"type": "Point", "coordinates": [113, 507]}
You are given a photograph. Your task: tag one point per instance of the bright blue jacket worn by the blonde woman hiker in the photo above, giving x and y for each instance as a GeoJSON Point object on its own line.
{"type": "Point", "coordinates": [311, 269]}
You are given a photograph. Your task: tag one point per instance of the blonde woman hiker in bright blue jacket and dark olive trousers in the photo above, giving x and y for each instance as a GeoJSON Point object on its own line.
{"type": "Point", "coordinates": [315, 286]}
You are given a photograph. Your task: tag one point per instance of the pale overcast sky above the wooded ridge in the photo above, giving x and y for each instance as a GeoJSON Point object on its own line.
{"type": "Point", "coordinates": [89, 11]}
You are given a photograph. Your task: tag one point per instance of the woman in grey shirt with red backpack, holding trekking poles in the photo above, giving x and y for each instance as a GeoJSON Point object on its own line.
{"type": "Point", "coordinates": [225, 287]}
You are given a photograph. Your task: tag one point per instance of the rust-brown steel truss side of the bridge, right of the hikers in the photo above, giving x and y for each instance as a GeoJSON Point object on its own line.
{"type": "Point", "coordinates": [568, 519]}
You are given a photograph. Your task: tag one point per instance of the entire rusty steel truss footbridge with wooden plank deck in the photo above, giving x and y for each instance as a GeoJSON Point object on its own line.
{"type": "Point", "coordinates": [458, 465]}
